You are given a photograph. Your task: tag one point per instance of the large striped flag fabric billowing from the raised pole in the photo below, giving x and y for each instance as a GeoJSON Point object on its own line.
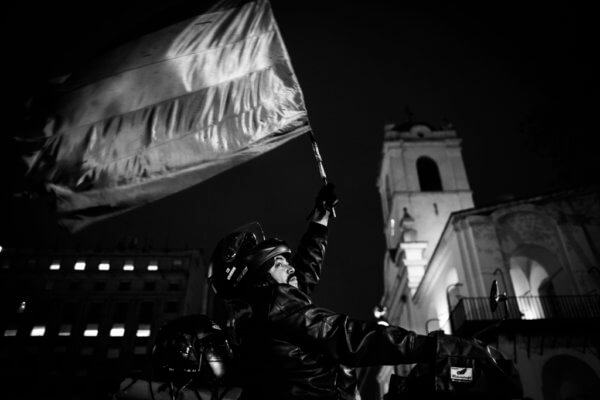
{"type": "Point", "coordinates": [168, 111]}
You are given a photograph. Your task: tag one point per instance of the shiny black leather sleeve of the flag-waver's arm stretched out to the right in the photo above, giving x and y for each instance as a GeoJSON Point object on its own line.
{"type": "Point", "coordinates": [352, 342]}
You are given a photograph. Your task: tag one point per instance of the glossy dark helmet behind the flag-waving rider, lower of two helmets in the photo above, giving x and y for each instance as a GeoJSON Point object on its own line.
{"type": "Point", "coordinates": [192, 347]}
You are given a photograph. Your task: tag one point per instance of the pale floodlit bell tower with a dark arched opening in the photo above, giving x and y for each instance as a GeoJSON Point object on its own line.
{"type": "Point", "coordinates": [421, 182]}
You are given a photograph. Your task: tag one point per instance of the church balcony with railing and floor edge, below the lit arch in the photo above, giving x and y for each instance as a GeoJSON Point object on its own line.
{"type": "Point", "coordinates": [472, 314]}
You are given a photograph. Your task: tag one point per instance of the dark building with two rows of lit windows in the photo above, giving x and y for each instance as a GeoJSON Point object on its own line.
{"type": "Point", "coordinates": [74, 324]}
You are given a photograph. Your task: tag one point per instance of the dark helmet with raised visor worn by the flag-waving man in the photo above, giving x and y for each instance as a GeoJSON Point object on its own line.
{"type": "Point", "coordinates": [239, 258]}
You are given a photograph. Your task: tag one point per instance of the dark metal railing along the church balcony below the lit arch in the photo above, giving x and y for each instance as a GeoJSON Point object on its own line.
{"type": "Point", "coordinates": [477, 309]}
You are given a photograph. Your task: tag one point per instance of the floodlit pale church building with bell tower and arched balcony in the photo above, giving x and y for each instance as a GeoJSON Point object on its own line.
{"type": "Point", "coordinates": [443, 256]}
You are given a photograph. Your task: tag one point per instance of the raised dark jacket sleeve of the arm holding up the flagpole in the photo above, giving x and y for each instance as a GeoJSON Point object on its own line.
{"type": "Point", "coordinates": [308, 259]}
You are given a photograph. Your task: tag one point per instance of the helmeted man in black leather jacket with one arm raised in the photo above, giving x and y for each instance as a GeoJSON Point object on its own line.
{"type": "Point", "coordinates": [288, 347]}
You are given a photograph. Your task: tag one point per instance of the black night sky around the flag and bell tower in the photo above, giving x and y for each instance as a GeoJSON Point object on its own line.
{"type": "Point", "coordinates": [515, 80]}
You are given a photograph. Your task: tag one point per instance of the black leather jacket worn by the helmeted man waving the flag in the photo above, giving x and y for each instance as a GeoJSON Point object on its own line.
{"type": "Point", "coordinates": [292, 349]}
